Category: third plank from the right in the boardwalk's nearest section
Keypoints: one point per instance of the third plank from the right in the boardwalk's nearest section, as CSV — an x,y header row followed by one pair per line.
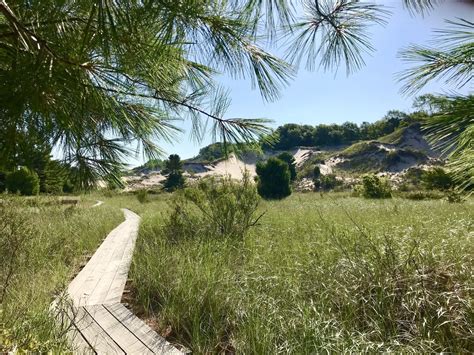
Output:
x,y
98,339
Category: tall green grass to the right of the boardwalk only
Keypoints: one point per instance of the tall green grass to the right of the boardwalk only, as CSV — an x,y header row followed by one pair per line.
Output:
x,y
330,273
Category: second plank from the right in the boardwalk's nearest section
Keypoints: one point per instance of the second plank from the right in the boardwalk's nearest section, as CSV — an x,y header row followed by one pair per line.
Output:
x,y
123,336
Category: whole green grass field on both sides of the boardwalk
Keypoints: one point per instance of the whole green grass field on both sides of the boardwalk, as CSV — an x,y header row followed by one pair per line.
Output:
x,y
317,273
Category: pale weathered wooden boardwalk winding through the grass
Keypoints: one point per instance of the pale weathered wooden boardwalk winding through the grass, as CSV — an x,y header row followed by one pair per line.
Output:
x,y
100,323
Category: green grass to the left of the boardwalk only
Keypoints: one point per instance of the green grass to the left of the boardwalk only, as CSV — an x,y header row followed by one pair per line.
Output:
x,y
42,245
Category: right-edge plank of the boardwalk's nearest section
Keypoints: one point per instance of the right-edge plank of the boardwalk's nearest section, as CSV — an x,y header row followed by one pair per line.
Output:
x,y
153,340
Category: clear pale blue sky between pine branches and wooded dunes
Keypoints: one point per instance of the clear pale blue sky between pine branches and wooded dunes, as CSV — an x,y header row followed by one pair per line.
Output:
x,y
319,97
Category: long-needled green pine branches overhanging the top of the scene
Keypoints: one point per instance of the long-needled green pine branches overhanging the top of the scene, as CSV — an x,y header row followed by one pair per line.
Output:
x,y
95,78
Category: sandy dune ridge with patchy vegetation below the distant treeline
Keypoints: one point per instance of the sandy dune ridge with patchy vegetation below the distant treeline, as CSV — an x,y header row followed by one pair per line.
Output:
x,y
403,149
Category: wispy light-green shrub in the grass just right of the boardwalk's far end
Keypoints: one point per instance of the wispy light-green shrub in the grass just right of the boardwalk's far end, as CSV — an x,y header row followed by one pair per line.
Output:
x,y
215,208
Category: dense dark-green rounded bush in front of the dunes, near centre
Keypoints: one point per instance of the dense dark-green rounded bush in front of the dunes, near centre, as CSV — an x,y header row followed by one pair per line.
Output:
x,y
273,179
